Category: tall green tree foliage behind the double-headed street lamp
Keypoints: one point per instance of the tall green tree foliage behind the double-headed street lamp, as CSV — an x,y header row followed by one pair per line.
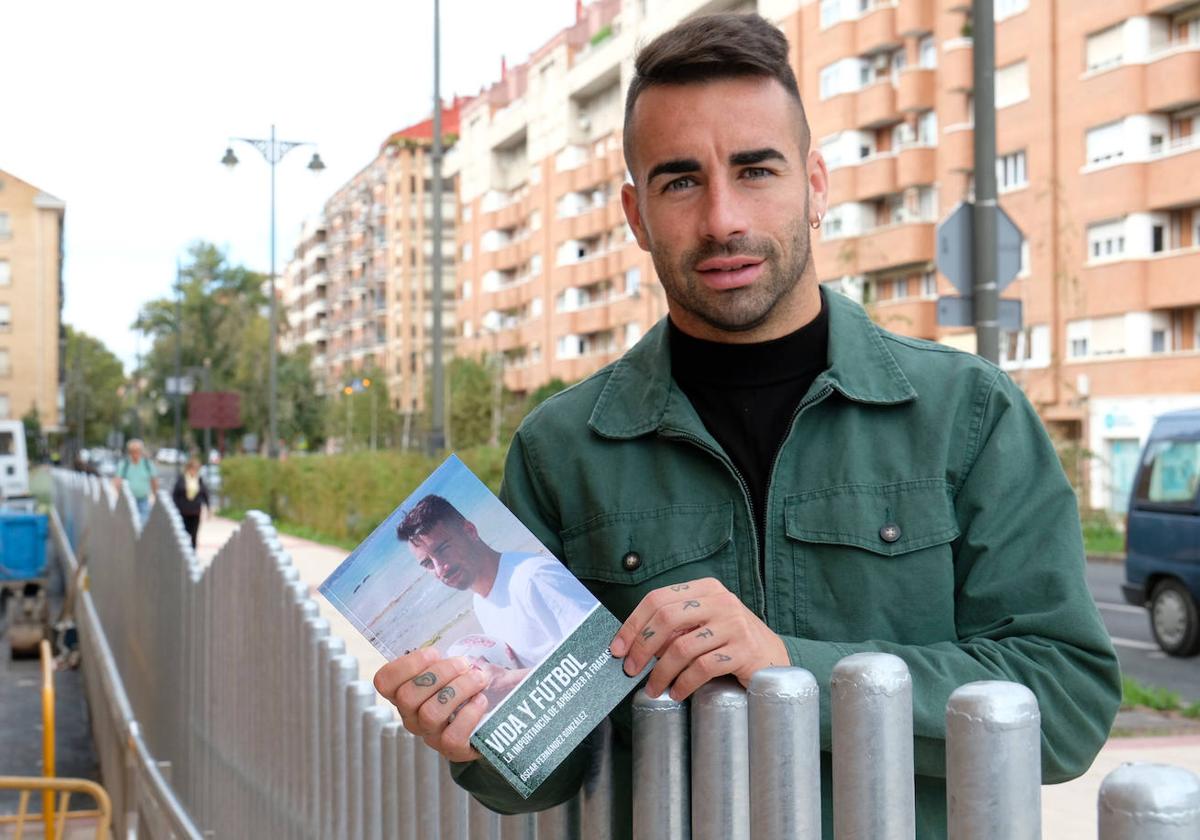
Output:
x,y
225,335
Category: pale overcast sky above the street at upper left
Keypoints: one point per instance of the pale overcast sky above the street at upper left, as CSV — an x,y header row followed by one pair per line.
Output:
x,y
124,110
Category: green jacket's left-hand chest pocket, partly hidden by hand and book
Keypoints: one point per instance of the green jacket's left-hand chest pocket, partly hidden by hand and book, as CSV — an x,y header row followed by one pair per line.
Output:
x,y
625,555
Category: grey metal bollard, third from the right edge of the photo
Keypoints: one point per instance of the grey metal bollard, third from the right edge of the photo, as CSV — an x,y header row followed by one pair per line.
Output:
x,y
873,773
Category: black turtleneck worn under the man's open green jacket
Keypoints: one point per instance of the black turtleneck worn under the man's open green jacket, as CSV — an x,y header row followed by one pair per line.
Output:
x,y
748,394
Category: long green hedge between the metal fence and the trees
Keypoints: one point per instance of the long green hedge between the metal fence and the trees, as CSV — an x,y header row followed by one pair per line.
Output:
x,y
343,497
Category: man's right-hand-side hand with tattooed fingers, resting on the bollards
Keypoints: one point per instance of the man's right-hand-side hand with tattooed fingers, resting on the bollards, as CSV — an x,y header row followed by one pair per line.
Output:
x,y
698,631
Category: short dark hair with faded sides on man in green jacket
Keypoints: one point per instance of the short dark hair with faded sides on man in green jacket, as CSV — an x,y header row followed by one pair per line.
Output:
x,y
715,47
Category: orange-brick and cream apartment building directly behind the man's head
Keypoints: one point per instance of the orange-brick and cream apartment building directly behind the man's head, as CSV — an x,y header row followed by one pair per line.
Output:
x,y
1097,146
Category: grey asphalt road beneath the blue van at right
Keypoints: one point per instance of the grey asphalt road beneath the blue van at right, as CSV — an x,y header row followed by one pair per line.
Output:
x,y
1130,628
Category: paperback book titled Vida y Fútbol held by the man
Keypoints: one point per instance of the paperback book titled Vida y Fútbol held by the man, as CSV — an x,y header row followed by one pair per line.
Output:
x,y
453,568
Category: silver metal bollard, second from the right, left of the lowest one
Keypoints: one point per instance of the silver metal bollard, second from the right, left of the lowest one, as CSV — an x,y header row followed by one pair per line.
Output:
x,y
994,763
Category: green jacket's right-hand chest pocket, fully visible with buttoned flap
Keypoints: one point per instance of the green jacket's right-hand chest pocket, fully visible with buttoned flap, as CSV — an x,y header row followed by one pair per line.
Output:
x,y
874,561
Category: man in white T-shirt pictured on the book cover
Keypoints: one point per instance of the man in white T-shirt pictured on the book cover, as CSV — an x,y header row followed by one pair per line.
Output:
x,y
529,602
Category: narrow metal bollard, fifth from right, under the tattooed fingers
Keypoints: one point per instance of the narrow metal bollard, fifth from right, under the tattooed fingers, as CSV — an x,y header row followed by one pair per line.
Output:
x,y
721,763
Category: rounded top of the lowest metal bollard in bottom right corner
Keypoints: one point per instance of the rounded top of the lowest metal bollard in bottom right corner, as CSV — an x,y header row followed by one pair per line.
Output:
x,y
1150,802
